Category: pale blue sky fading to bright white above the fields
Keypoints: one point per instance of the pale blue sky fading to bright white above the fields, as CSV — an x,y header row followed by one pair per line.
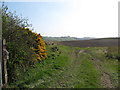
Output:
x,y
76,18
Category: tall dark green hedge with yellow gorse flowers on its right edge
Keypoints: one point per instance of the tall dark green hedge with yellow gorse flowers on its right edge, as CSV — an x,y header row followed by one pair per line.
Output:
x,y
25,46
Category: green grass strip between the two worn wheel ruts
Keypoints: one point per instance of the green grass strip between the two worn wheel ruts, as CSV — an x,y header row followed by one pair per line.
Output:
x,y
88,75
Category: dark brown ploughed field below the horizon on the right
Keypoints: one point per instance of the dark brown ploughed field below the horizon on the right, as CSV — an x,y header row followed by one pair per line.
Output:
x,y
102,42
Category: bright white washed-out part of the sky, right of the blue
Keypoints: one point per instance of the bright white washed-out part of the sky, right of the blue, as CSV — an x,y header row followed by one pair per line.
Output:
x,y
95,18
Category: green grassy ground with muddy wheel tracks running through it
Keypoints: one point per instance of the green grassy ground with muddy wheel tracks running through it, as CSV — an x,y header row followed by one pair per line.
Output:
x,y
72,67
